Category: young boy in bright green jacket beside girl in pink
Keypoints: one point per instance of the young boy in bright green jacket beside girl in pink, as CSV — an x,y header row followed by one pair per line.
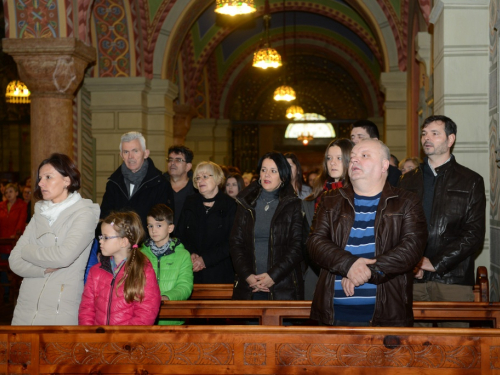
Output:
x,y
170,260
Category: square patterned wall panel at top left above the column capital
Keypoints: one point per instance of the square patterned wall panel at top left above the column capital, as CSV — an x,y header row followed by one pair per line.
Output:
x,y
36,19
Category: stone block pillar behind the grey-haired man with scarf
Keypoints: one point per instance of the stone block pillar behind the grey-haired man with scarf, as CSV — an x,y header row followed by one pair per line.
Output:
x,y
122,104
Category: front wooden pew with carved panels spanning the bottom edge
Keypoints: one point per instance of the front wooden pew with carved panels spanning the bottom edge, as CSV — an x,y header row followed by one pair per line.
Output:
x,y
248,350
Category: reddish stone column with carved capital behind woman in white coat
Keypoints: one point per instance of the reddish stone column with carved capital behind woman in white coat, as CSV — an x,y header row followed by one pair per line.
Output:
x,y
52,69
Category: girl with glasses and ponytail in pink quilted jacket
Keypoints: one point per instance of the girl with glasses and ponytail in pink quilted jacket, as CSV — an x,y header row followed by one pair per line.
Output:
x,y
122,289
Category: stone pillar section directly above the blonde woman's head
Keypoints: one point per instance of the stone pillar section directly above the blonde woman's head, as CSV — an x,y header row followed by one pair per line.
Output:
x,y
210,140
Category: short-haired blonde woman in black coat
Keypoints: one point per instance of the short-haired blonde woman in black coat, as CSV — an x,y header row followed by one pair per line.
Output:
x,y
205,224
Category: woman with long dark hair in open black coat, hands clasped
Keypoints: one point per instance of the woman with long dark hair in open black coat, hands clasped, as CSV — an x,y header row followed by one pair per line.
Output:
x,y
266,240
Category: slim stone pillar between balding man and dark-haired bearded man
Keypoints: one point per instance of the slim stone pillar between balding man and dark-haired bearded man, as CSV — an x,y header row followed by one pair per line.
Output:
x,y
393,84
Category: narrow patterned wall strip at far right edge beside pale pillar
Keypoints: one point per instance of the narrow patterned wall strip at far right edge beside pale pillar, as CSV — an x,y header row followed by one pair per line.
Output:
x,y
494,142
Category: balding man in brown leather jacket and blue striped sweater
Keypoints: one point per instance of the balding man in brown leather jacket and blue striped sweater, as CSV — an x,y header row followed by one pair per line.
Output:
x,y
367,238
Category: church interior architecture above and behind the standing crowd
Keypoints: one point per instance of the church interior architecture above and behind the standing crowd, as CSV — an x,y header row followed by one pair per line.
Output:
x,y
181,73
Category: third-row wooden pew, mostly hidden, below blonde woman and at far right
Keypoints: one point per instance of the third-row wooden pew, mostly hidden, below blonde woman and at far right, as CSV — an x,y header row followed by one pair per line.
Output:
x,y
225,291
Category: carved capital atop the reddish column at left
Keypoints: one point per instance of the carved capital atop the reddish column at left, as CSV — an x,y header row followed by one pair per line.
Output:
x,y
50,67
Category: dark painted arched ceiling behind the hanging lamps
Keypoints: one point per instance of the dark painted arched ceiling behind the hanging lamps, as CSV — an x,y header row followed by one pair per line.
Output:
x,y
333,51
